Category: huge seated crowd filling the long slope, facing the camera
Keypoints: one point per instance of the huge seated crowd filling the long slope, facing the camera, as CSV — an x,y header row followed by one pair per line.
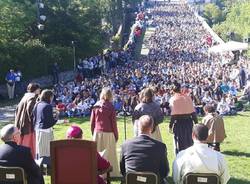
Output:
x,y
178,52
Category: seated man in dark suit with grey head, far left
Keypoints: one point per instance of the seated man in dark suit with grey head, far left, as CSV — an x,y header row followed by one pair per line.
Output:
x,y
13,155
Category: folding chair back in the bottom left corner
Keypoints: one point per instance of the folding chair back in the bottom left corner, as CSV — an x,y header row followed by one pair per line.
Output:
x,y
12,175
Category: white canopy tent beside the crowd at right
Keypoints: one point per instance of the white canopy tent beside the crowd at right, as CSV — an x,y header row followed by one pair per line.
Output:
x,y
228,47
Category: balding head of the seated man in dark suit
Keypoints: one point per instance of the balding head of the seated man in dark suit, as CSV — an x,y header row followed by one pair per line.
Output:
x,y
146,124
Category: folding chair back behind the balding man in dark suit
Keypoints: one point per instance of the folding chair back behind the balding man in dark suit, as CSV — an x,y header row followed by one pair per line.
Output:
x,y
141,178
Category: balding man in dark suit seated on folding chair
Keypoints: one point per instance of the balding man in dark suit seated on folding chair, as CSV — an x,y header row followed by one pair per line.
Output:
x,y
144,154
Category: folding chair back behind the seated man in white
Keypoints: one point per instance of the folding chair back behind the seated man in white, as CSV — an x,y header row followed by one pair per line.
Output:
x,y
201,178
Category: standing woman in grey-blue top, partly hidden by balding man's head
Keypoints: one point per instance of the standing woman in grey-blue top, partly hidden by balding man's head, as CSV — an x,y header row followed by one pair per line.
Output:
x,y
147,106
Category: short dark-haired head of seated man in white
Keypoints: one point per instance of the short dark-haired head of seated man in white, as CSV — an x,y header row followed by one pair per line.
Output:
x,y
200,132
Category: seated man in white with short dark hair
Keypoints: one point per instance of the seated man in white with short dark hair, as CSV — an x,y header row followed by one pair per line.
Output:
x,y
199,158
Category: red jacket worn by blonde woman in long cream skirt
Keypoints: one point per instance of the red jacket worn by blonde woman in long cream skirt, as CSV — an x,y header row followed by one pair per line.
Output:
x,y
103,118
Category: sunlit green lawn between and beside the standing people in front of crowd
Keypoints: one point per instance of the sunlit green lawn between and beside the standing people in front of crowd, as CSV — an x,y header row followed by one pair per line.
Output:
x,y
236,146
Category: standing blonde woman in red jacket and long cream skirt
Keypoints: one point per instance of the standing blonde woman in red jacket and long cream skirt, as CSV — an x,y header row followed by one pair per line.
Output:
x,y
104,128
